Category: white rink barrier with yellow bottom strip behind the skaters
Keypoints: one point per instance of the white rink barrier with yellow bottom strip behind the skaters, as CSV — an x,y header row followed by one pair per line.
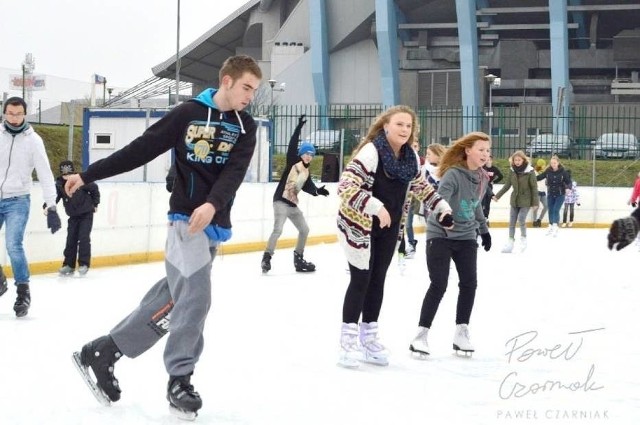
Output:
x,y
130,224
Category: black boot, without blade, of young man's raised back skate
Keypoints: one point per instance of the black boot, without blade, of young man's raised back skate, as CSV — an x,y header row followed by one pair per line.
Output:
x,y
101,355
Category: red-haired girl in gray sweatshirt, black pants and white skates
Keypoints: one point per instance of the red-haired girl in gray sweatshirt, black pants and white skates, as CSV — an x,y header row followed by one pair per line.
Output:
x,y
462,185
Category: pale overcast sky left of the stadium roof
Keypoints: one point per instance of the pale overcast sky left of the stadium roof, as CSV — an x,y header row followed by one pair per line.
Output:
x,y
118,39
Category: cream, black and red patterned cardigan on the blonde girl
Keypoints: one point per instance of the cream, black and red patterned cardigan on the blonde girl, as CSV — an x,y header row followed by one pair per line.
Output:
x,y
358,205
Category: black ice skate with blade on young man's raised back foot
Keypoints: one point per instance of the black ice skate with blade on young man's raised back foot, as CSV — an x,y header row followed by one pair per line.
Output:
x,y
100,356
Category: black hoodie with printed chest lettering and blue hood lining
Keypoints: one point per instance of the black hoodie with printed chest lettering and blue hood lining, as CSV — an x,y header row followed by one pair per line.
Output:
x,y
213,149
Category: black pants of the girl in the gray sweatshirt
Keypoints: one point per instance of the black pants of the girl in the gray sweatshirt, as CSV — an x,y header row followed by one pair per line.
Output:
x,y
464,254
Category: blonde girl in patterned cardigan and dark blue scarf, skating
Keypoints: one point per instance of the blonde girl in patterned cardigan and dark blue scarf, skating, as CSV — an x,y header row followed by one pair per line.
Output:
x,y
374,200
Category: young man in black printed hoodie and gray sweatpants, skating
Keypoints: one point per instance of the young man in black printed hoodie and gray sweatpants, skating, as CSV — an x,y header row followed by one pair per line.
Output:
x,y
213,141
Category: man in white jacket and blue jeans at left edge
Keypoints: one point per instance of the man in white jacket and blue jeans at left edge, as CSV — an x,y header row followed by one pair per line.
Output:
x,y
21,152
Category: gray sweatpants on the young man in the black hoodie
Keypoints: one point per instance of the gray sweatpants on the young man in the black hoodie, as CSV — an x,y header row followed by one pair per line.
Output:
x,y
177,304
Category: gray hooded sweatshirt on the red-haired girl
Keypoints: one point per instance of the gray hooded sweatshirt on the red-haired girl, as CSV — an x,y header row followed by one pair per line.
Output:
x,y
463,190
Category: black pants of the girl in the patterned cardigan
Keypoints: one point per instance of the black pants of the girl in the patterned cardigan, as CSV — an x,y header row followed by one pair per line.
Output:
x,y
366,288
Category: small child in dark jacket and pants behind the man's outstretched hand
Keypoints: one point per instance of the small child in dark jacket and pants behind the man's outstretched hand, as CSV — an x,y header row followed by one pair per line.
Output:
x,y
80,209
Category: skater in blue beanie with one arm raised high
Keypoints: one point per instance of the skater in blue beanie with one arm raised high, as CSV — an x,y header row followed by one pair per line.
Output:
x,y
295,178
